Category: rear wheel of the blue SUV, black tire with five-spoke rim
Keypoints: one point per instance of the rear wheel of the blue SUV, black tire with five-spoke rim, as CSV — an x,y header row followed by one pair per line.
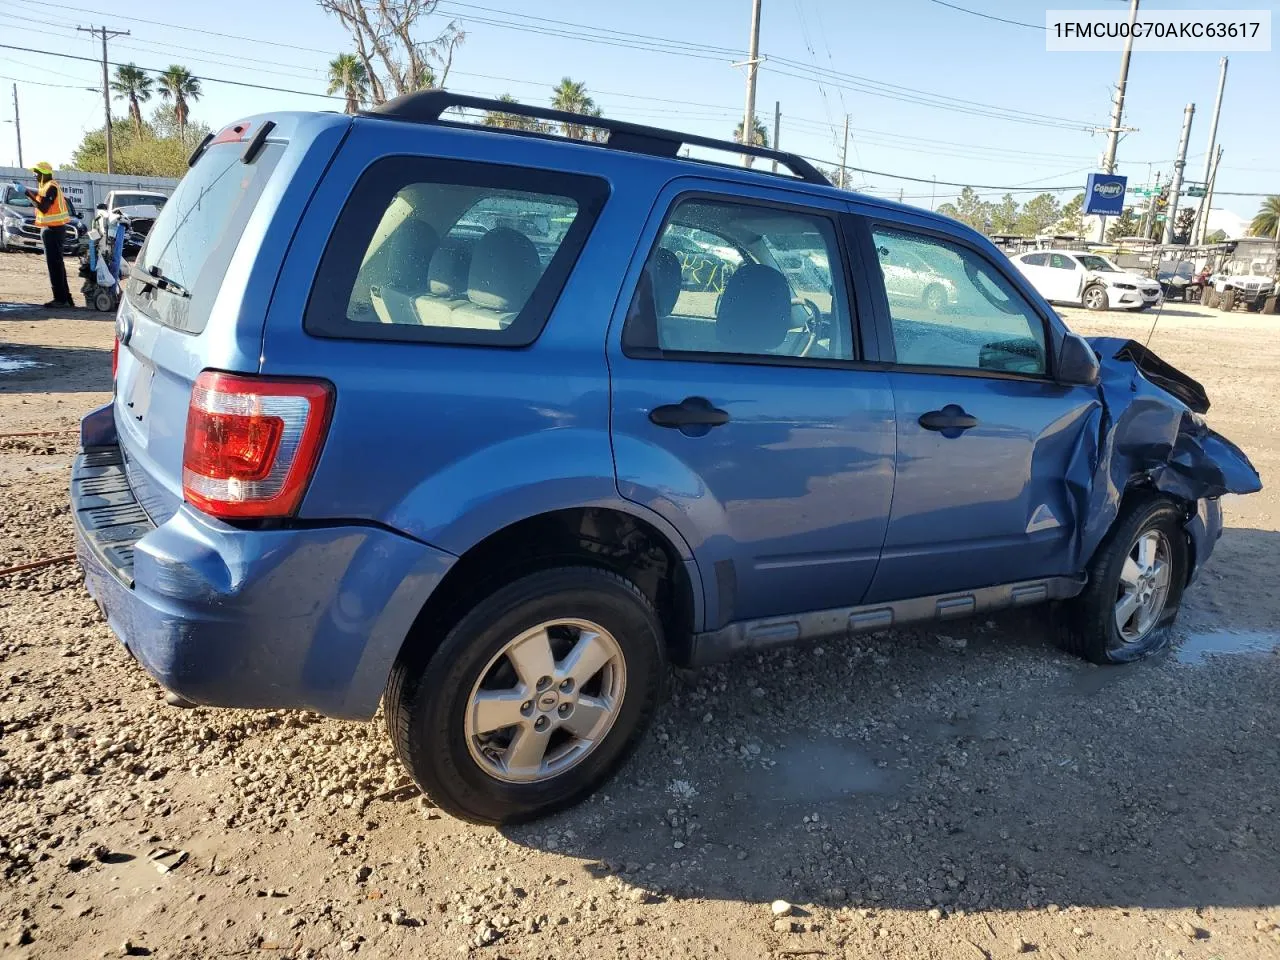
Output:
x,y
534,700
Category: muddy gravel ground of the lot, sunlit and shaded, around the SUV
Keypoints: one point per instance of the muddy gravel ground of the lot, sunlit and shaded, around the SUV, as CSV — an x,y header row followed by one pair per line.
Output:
x,y
973,796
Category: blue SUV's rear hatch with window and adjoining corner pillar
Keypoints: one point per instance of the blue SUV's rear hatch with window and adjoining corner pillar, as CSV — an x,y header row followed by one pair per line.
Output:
x,y
196,298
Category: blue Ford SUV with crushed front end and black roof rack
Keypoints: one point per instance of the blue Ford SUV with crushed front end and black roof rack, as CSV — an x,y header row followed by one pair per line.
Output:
x,y
490,427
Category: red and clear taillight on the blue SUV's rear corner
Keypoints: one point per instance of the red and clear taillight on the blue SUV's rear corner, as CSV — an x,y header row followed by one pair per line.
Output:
x,y
253,444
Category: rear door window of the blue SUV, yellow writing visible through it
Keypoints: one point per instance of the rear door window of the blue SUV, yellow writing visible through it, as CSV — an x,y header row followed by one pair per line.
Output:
x,y
740,280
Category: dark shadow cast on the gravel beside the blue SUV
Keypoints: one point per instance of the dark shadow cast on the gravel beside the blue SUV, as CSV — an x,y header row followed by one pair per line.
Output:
x,y
977,770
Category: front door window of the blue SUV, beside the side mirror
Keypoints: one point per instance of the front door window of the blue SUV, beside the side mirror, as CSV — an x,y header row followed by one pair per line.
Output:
x,y
967,314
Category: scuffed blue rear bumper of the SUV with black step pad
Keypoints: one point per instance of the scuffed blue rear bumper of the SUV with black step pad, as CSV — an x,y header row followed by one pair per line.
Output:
x,y
308,619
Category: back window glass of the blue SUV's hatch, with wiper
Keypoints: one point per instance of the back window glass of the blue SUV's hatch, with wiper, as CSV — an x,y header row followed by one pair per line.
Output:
x,y
196,234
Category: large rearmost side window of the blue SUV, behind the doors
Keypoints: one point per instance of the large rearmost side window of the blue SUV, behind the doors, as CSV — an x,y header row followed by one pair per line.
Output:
x,y
452,253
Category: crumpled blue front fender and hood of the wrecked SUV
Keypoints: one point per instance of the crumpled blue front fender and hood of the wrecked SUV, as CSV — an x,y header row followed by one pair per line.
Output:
x,y
1149,431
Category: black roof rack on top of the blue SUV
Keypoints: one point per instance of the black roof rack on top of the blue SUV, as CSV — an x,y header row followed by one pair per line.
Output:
x,y
428,106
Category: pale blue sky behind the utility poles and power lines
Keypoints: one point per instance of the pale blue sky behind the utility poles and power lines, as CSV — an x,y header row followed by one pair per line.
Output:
x,y
917,79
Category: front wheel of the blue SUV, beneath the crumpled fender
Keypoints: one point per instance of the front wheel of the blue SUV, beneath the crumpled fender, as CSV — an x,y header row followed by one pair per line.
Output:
x,y
1136,586
